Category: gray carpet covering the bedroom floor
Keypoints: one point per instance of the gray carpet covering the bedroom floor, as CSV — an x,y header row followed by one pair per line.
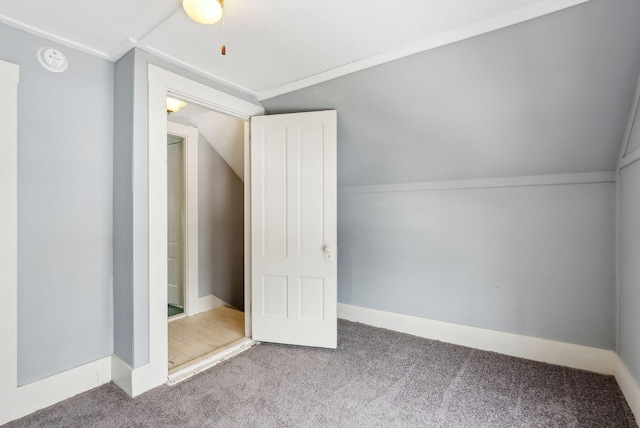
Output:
x,y
376,378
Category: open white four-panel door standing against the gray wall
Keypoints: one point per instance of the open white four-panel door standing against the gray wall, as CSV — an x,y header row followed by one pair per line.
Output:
x,y
294,228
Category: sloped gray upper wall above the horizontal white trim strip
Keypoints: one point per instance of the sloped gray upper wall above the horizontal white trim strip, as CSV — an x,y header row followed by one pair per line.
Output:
x,y
548,96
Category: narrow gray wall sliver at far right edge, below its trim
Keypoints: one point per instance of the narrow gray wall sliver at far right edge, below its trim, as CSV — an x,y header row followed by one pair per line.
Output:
x,y
629,268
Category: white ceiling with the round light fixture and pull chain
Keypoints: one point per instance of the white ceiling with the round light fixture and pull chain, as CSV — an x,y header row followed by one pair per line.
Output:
x,y
273,46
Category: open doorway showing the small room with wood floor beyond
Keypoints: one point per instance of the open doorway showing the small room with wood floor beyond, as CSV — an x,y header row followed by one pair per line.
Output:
x,y
214,320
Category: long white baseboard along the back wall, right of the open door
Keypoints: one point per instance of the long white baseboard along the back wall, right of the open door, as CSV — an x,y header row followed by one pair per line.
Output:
x,y
532,348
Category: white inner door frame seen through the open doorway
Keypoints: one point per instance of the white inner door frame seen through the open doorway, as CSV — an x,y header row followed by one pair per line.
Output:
x,y
190,238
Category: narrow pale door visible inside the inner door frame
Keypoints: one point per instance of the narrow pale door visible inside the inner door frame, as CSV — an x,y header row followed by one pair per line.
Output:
x,y
175,208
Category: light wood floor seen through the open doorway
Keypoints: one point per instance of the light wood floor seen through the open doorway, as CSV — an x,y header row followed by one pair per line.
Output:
x,y
197,337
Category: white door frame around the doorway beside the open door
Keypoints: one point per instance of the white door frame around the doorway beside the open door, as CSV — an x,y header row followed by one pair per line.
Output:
x,y
161,84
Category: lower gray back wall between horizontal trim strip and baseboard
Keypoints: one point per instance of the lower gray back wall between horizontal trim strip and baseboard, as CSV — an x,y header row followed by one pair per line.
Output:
x,y
537,261
